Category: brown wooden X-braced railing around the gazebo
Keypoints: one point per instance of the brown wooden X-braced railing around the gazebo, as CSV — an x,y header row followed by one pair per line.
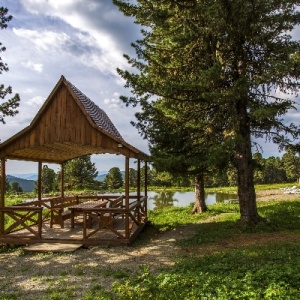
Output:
x,y
31,215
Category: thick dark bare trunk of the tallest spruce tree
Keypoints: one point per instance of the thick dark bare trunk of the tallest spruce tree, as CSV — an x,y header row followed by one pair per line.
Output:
x,y
246,190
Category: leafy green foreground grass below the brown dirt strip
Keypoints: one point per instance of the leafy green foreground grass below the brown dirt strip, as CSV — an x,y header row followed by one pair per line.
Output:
x,y
252,273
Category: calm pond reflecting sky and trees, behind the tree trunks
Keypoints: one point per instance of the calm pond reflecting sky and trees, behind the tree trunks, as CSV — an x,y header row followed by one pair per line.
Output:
x,y
163,199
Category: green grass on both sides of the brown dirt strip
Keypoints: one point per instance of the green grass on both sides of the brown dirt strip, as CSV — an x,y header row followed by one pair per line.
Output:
x,y
268,271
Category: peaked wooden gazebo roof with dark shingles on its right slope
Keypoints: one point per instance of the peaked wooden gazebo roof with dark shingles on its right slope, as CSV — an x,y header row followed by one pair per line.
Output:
x,y
67,126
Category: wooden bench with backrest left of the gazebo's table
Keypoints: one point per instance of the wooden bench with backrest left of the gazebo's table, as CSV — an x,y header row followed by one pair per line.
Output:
x,y
59,211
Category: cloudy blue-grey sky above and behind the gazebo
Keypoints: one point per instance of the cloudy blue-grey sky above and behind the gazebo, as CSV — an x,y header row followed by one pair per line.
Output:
x,y
84,40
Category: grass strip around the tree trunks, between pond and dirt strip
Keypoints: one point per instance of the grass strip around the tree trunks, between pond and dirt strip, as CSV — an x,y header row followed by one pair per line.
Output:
x,y
220,222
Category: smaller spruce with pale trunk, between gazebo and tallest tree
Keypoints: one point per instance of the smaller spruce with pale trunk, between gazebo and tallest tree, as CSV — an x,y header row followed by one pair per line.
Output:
x,y
180,144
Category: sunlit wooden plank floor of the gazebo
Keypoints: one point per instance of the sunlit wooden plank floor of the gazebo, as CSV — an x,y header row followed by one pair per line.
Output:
x,y
73,235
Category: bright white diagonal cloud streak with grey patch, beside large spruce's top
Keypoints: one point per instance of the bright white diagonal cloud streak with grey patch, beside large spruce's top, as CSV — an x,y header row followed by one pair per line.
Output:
x,y
96,19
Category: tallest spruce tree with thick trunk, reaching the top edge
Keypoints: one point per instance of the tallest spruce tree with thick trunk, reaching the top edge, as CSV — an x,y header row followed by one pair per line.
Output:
x,y
234,59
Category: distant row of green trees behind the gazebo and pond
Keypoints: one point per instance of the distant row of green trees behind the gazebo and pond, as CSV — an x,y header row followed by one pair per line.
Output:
x,y
81,173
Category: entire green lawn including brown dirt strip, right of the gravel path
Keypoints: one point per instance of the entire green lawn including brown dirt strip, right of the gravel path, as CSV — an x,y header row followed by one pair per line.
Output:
x,y
220,260
